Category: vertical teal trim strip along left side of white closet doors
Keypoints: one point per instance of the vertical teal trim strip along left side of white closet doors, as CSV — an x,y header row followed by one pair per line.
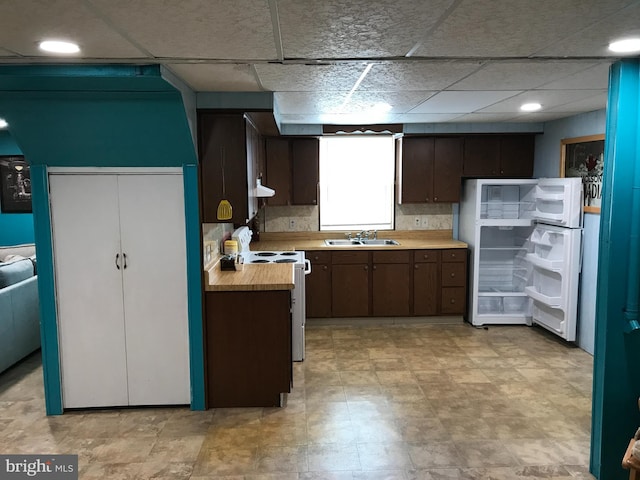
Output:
x,y
46,291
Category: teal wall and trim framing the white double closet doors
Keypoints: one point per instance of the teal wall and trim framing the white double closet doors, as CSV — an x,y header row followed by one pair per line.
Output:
x,y
100,116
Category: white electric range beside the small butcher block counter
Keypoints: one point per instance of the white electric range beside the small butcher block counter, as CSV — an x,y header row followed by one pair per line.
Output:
x,y
301,267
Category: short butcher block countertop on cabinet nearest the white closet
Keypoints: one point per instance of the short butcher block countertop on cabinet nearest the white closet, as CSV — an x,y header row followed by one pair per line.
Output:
x,y
253,277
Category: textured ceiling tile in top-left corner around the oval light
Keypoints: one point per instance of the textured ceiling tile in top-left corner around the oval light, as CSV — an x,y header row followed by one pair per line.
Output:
x,y
27,22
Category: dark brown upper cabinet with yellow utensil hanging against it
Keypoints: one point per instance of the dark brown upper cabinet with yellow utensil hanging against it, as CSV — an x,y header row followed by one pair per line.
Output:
x,y
222,154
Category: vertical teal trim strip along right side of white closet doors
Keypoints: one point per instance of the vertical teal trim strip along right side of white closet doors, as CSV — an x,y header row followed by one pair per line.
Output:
x,y
194,286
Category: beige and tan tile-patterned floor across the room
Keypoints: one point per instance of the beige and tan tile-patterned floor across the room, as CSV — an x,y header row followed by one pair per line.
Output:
x,y
369,403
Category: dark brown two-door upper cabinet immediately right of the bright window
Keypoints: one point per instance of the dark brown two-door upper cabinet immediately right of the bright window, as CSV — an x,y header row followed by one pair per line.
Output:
x,y
430,169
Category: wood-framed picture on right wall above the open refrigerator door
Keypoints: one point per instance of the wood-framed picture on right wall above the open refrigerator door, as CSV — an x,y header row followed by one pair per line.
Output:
x,y
584,157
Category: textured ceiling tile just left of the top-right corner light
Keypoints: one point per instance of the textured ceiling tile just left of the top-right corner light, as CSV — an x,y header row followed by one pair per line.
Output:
x,y
504,28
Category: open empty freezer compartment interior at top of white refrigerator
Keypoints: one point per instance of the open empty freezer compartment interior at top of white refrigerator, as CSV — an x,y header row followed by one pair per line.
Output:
x,y
507,202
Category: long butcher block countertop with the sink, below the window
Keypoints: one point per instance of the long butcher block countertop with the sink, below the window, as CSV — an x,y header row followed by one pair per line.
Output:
x,y
408,240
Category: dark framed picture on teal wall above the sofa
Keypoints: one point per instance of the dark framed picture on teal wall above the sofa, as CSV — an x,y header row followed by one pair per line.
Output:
x,y
15,185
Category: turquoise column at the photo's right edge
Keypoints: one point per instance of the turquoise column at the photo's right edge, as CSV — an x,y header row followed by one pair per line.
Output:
x,y
616,374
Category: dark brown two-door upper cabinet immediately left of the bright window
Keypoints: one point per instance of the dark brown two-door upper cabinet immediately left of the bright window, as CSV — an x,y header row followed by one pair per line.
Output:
x,y
292,170
